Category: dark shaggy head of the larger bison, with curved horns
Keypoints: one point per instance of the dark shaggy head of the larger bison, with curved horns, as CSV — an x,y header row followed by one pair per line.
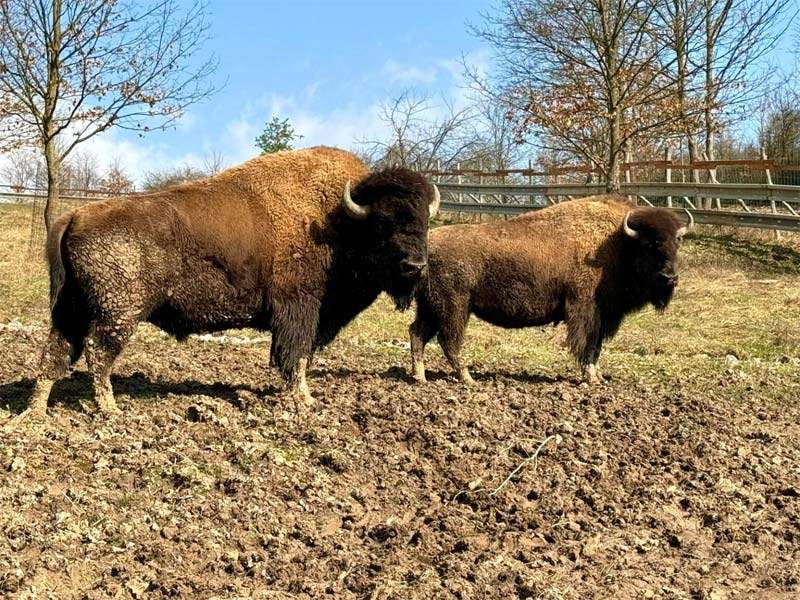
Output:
x,y
389,212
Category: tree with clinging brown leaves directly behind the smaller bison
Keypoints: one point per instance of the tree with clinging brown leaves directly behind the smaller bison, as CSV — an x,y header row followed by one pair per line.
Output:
x,y
587,77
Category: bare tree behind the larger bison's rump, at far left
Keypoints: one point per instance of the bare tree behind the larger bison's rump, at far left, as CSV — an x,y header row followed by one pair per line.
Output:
x,y
70,69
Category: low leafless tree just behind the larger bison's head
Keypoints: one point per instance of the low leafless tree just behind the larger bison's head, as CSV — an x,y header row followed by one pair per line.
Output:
x,y
421,133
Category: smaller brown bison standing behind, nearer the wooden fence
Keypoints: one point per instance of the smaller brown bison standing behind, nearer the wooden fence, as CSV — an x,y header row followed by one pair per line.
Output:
x,y
587,262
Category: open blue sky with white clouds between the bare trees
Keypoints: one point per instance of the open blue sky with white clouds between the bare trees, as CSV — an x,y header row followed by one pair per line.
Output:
x,y
325,65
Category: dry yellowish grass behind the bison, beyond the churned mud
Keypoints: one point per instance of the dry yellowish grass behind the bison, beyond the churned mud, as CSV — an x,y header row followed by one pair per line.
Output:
x,y
738,302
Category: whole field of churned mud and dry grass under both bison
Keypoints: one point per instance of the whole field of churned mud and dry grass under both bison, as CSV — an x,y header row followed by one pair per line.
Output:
x,y
677,477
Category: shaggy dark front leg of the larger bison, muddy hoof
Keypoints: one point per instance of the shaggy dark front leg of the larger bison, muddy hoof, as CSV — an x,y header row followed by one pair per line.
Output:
x,y
294,329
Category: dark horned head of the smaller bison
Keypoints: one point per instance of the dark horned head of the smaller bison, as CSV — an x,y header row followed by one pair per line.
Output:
x,y
652,238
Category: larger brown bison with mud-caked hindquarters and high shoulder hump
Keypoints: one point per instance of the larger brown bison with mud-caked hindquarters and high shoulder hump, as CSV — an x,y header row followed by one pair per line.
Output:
x,y
297,243
